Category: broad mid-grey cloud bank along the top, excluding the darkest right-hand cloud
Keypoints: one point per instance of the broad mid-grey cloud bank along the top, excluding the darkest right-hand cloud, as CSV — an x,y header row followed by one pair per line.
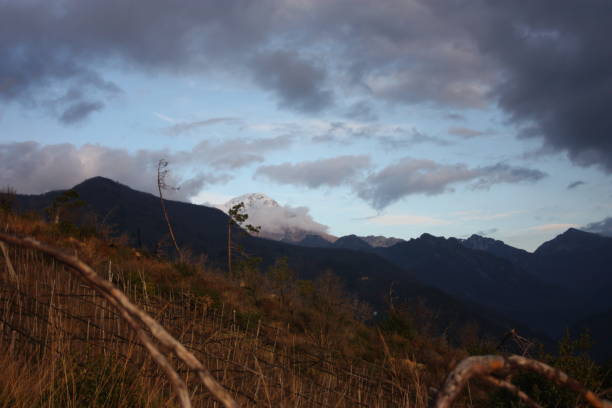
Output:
x,y
400,51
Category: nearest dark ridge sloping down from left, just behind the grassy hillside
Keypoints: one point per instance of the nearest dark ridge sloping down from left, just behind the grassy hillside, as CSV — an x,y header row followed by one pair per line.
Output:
x,y
204,231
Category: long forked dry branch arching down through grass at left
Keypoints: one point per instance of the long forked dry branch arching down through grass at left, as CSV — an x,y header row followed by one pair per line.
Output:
x,y
136,318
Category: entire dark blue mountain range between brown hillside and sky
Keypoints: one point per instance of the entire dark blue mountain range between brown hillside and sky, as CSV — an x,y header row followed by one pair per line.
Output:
x,y
566,282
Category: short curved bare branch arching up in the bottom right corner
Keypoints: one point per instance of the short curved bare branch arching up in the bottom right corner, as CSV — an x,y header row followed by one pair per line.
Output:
x,y
484,366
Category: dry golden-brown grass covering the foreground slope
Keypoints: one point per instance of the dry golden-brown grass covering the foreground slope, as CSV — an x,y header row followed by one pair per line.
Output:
x,y
63,345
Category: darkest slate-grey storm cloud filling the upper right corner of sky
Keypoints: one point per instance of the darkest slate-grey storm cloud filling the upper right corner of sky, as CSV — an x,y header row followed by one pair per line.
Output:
x,y
555,75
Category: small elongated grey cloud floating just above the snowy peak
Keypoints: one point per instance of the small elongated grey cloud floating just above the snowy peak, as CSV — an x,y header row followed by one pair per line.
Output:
x,y
330,172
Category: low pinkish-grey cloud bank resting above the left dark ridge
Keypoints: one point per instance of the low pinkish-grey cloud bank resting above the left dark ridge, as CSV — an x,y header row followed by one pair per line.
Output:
x,y
34,168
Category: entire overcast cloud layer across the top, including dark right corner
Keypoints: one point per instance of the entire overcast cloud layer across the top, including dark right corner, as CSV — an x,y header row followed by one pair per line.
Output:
x,y
545,63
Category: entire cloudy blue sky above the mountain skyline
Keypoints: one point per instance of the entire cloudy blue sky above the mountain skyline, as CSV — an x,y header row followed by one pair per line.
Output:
x,y
394,117
